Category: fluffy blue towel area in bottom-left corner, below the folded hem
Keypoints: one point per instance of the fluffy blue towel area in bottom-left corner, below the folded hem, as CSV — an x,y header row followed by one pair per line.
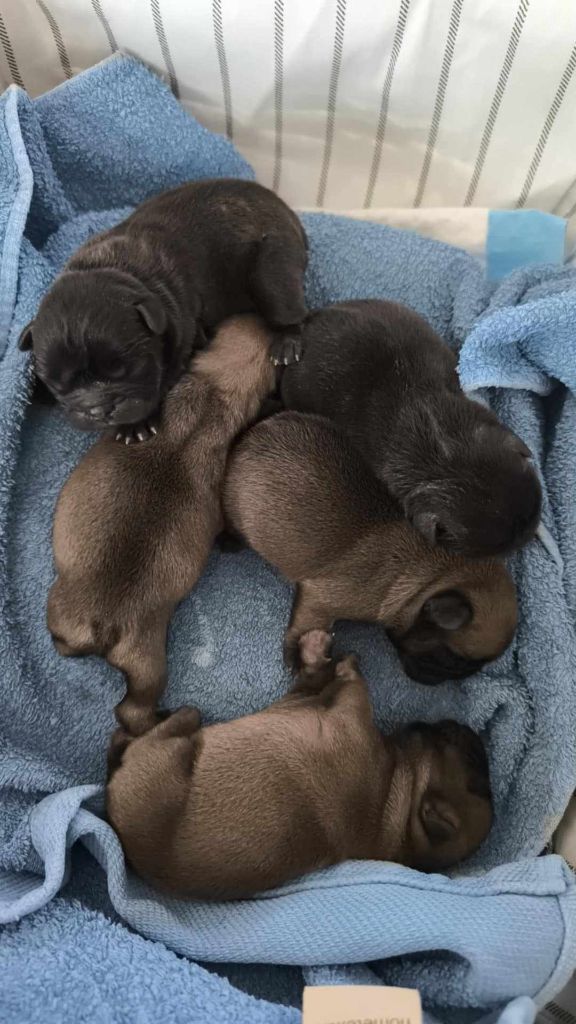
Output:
x,y
112,972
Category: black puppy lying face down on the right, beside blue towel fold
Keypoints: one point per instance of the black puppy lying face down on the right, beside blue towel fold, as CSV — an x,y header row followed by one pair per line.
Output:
x,y
381,372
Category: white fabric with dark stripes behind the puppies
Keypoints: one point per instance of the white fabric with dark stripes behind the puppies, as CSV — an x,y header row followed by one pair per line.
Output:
x,y
346,104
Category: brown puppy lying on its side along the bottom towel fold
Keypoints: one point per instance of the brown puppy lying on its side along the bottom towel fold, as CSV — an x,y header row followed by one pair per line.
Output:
x,y
230,810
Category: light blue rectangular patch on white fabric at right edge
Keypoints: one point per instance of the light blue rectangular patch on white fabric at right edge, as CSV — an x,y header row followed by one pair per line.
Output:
x,y
521,238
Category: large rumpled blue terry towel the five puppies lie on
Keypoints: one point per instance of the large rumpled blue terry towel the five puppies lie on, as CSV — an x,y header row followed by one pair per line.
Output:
x,y
74,162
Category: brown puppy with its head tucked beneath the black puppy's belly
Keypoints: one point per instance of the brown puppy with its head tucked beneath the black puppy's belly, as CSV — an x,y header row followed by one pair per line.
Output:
x,y
135,526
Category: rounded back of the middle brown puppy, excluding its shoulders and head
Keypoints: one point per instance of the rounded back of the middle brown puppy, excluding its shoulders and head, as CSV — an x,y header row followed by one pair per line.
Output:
x,y
297,483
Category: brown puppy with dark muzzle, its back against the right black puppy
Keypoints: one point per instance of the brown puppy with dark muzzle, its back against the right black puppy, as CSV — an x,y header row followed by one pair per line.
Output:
x,y
299,493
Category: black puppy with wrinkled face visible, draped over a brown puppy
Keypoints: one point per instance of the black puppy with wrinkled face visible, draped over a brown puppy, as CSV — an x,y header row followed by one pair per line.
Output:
x,y
117,329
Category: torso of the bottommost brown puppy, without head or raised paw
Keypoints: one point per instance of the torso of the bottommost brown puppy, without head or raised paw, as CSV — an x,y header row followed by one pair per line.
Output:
x,y
244,805
